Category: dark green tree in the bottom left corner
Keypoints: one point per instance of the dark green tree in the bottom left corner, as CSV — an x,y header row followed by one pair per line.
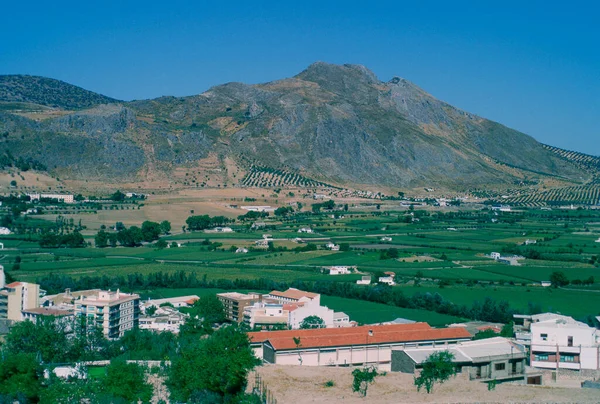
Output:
x,y
21,377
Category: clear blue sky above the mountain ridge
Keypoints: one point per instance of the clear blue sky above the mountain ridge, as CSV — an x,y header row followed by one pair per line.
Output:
x,y
531,65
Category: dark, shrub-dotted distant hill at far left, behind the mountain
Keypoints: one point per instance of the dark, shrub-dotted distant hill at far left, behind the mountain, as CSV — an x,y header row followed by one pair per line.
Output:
x,y
48,92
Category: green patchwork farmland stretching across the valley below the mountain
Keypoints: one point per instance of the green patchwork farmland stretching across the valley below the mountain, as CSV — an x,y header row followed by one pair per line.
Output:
x,y
443,251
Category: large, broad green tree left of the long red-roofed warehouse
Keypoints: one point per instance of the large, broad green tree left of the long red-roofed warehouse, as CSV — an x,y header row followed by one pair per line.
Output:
x,y
217,365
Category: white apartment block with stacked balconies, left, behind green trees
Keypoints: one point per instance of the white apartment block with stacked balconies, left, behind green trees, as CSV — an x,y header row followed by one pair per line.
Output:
x,y
113,312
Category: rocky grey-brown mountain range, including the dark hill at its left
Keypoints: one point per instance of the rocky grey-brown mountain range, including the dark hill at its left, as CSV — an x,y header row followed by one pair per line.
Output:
x,y
335,124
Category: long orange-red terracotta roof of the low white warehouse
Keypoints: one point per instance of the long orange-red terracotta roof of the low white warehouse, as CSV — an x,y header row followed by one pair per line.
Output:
x,y
327,337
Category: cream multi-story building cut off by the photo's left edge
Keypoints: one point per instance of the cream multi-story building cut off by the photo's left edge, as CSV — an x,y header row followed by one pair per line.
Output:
x,y
16,297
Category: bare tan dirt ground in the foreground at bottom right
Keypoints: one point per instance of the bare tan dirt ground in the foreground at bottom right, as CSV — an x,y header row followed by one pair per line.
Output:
x,y
303,384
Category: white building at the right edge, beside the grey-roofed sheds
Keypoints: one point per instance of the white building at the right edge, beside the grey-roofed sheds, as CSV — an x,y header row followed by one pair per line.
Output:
x,y
560,342
